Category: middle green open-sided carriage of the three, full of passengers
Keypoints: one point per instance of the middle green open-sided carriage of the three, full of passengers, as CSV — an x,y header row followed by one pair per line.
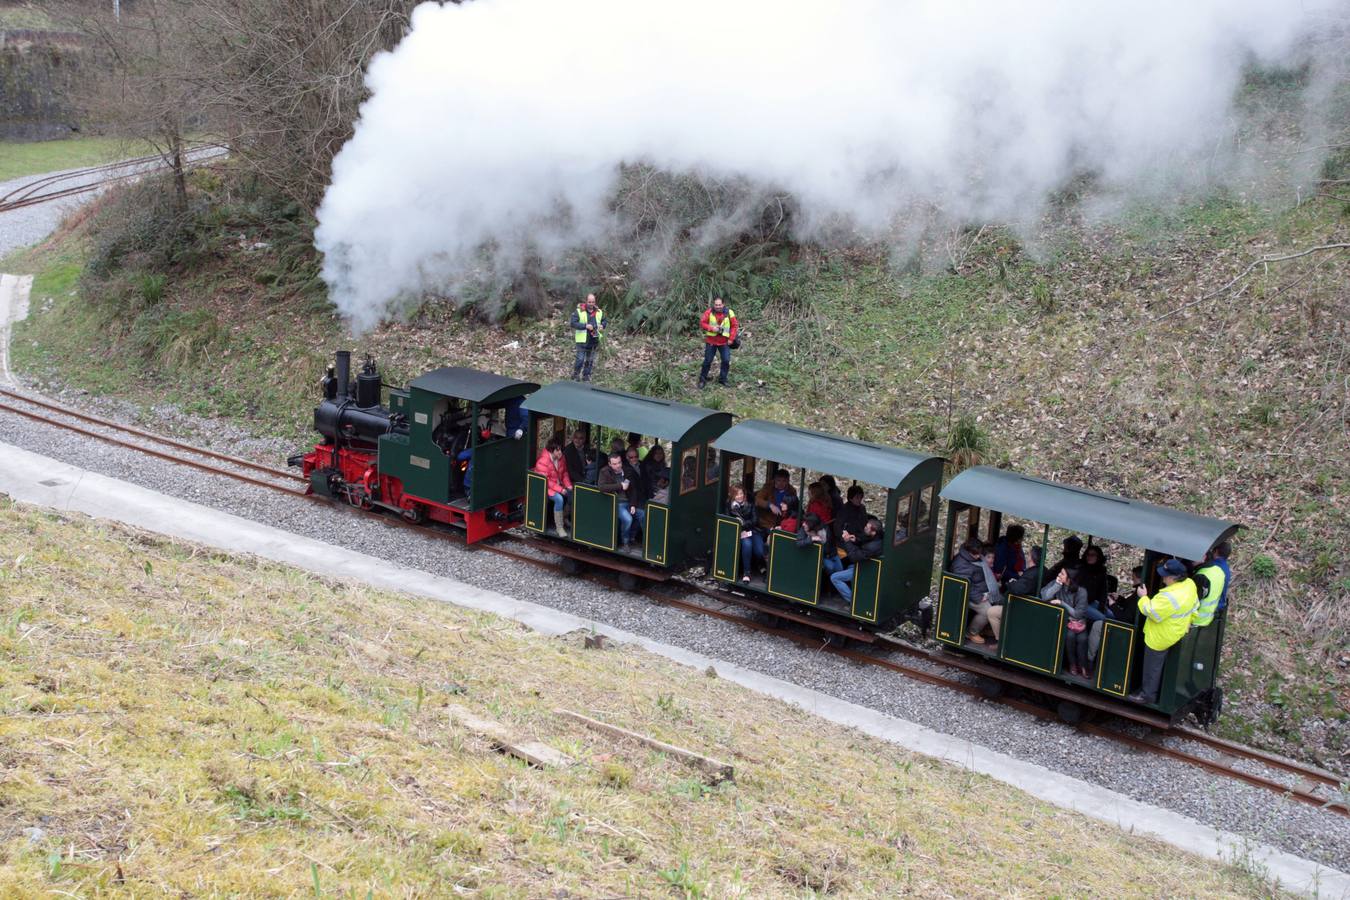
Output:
x,y
884,589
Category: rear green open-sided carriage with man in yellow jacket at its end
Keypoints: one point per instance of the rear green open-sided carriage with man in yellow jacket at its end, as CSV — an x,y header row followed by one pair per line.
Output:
x,y
1033,632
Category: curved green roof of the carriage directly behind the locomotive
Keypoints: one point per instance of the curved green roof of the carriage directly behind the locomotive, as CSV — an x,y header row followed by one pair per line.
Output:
x,y
661,419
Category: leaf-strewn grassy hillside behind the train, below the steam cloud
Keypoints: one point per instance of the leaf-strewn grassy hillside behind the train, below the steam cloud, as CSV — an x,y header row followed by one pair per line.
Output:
x,y
1154,356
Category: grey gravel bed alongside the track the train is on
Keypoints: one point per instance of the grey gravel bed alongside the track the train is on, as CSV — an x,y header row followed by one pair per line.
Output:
x,y
1221,804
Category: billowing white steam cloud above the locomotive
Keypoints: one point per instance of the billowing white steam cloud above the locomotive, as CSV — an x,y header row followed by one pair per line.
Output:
x,y
503,123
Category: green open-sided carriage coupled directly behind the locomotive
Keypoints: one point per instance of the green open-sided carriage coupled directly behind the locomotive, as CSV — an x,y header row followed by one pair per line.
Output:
x,y
678,532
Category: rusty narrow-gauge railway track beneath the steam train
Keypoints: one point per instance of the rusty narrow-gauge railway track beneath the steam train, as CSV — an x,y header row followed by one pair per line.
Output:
x,y
1307,785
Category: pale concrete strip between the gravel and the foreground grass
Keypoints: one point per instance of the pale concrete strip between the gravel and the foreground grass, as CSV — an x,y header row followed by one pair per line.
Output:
x,y
37,480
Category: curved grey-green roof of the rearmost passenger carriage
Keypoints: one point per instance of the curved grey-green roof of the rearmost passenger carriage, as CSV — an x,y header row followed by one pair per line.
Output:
x,y
1118,519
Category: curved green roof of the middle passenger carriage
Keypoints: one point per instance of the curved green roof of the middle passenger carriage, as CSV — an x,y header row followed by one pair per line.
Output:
x,y
823,453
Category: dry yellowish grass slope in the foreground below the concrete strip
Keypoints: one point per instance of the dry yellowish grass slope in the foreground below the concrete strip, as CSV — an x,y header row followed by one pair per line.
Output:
x,y
182,723
